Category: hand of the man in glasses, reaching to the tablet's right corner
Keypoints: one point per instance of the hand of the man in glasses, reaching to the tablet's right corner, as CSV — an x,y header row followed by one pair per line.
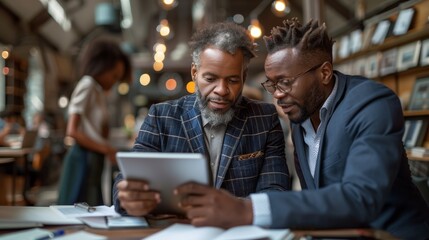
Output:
x,y
207,206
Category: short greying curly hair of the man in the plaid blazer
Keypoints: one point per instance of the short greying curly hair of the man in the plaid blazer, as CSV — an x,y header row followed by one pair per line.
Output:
x,y
226,36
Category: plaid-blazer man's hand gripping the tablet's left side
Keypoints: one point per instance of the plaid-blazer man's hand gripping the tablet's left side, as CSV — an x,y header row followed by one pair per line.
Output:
x,y
136,197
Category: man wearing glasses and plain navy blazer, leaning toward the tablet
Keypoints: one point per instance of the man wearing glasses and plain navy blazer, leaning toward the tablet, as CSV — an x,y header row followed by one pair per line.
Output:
x,y
347,133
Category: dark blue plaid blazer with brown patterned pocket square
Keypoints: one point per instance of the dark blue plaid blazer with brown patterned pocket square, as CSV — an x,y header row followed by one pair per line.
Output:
x,y
252,156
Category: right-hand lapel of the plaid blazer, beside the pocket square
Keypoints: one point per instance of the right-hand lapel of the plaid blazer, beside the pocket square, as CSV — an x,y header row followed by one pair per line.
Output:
x,y
233,133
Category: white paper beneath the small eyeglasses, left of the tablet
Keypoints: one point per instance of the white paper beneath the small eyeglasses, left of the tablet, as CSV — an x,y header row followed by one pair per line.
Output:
x,y
74,212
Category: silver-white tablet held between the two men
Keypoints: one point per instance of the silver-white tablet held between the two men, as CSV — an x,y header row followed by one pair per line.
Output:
x,y
164,172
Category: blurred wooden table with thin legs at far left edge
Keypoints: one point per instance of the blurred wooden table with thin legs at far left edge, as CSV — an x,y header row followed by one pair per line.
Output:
x,y
18,154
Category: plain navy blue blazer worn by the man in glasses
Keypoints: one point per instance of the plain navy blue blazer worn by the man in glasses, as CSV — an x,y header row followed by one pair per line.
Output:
x,y
362,177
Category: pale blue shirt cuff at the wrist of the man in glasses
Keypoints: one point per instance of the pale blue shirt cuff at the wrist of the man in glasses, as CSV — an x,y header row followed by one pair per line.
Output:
x,y
261,210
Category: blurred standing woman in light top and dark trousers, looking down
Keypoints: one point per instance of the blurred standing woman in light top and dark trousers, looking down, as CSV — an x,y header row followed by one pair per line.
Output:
x,y
102,64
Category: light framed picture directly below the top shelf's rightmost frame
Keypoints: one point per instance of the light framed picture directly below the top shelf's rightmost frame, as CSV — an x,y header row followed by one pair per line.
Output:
x,y
408,55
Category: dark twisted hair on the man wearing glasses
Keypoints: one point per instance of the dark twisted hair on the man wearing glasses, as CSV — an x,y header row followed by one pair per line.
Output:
x,y
311,39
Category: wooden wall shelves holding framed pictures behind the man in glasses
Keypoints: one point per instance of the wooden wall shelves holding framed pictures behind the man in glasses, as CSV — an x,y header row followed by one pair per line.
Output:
x,y
400,80
